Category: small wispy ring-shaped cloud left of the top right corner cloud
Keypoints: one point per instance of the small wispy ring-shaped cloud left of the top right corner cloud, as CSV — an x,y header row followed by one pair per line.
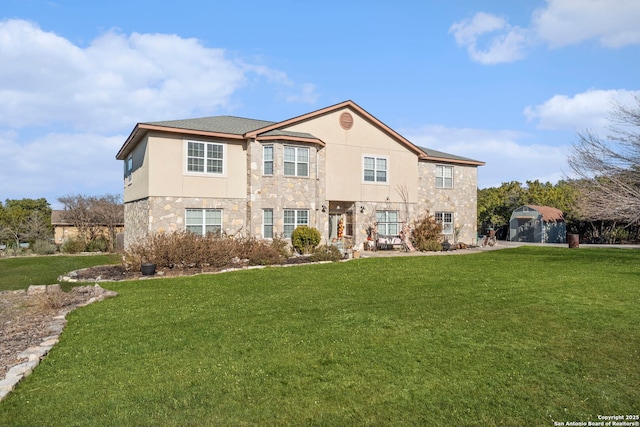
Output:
x,y
506,46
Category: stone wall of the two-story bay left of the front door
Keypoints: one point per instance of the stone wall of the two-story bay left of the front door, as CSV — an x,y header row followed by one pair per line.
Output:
x,y
278,192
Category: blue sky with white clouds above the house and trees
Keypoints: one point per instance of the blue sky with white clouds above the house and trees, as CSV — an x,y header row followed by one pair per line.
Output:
x,y
508,83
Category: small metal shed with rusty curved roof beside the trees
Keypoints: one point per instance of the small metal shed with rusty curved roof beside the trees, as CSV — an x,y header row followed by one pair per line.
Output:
x,y
537,224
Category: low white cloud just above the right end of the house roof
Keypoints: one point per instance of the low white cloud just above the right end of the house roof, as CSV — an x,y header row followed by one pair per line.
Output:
x,y
507,157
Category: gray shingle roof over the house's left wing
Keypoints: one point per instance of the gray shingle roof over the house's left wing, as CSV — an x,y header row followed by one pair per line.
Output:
x,y
222,124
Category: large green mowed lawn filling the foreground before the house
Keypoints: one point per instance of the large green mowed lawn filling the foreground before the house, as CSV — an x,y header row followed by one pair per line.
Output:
x,y
517,337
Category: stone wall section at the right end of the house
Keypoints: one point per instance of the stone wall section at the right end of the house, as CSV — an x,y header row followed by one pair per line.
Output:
x,y
461,199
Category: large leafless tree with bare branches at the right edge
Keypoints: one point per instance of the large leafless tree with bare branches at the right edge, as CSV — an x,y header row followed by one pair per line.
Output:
x,y
610,168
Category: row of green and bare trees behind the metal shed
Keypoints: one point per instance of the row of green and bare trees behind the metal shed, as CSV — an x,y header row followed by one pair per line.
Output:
x,y
602,203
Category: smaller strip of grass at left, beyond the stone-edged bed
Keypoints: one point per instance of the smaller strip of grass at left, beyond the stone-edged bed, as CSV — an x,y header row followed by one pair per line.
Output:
x,y
22,272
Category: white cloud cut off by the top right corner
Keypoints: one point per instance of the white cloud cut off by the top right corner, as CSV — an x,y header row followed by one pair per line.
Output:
x,y
614,23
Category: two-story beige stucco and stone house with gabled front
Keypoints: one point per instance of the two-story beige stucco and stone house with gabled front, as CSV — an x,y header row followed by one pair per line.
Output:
x,y
338,169
